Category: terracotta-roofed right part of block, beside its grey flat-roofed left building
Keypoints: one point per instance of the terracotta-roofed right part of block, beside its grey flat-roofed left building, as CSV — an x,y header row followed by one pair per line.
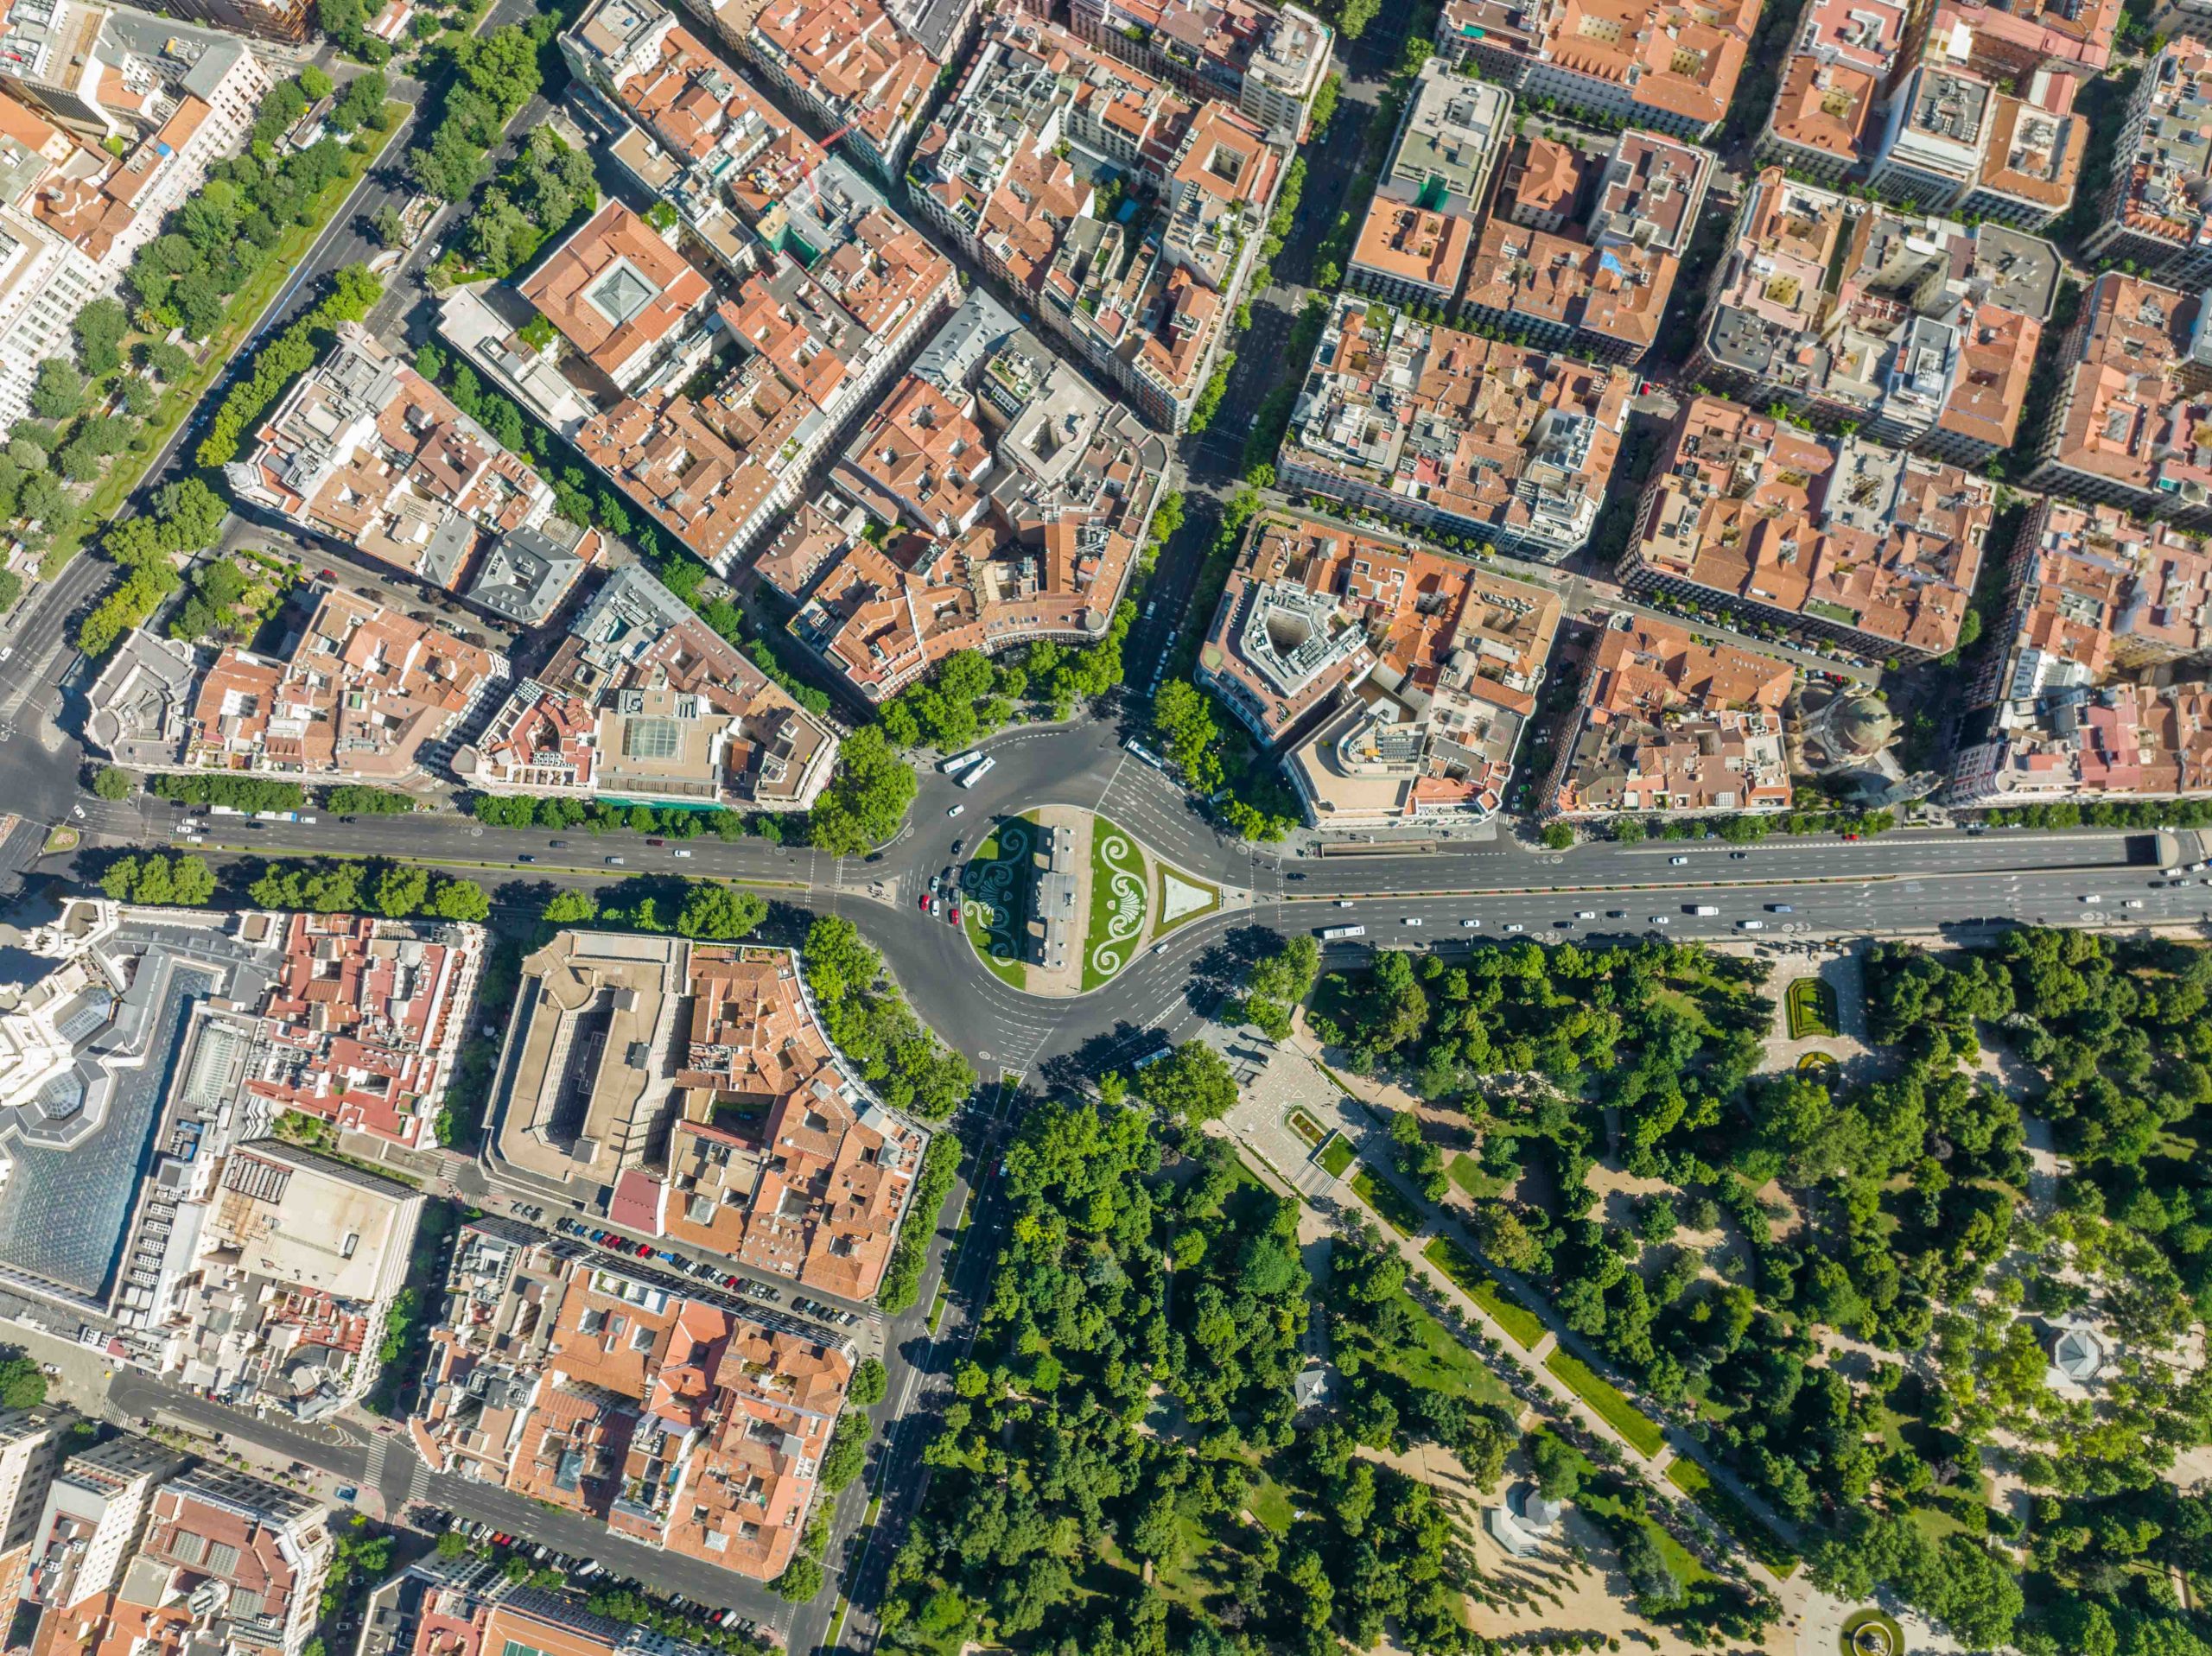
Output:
x,y
1605,286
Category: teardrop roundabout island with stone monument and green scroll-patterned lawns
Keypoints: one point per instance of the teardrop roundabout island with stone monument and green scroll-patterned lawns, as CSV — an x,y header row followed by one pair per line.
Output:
x,y
1058,901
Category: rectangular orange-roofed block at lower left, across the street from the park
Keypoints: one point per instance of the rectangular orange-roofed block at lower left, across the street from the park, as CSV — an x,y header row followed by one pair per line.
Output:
x,y
680,1418
